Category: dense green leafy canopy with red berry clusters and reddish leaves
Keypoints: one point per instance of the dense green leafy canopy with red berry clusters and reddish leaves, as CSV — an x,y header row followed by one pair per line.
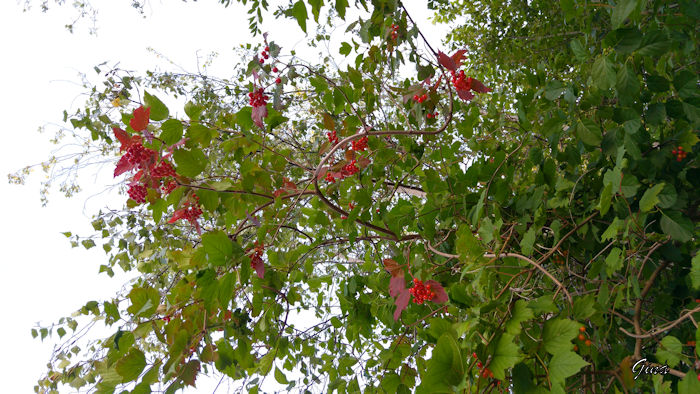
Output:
x,y
514,209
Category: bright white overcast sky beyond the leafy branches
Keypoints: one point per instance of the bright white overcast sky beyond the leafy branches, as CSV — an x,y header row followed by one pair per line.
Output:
x,y
45,278
